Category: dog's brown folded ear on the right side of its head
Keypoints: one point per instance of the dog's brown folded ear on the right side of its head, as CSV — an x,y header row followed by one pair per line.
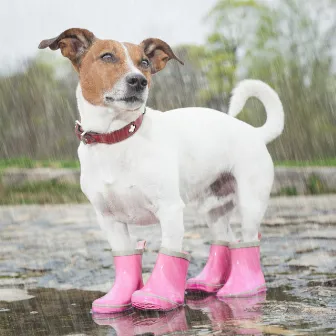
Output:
x,y
158,52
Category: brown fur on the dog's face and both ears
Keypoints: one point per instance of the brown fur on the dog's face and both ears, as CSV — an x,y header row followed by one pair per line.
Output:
x,y
98,76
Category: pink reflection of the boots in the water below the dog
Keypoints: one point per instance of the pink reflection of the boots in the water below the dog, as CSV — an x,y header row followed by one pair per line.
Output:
x,y
235,316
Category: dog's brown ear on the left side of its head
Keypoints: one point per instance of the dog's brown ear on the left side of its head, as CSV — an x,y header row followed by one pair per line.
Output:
x,y
73,43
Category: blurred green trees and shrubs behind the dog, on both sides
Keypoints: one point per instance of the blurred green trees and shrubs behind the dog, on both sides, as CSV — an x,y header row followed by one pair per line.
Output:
x,y
290,45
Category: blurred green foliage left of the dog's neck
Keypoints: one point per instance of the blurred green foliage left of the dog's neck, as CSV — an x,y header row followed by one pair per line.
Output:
x,y
37,114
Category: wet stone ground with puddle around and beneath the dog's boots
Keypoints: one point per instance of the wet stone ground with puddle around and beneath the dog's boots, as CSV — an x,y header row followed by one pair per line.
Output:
x,y
54,261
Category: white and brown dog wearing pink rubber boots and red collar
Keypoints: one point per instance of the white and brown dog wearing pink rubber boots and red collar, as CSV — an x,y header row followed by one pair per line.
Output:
x,y
141,166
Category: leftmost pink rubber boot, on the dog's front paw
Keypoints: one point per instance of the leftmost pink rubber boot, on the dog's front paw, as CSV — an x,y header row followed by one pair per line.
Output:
x,y
128,279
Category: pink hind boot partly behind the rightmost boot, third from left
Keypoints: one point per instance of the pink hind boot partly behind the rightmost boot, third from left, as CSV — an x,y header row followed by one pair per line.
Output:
x,y
215,272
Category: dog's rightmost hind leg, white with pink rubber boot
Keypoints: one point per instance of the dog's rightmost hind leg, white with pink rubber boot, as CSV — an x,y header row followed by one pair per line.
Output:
x,y
246,277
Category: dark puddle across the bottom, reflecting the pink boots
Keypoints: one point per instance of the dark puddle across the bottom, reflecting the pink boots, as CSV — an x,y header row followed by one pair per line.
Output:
x,y
67,312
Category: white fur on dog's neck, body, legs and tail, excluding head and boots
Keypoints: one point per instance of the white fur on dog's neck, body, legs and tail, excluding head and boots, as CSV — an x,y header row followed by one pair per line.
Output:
x,y
172,160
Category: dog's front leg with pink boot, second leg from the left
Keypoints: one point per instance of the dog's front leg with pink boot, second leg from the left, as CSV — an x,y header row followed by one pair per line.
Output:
x,y
164,289
